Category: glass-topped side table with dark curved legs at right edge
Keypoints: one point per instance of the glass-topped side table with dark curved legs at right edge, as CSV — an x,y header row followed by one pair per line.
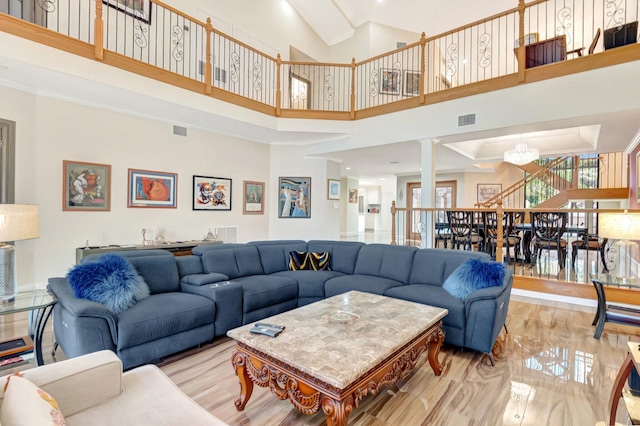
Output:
x,y
613,313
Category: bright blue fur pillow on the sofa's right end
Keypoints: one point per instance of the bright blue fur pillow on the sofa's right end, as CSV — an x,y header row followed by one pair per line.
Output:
x,y
473,275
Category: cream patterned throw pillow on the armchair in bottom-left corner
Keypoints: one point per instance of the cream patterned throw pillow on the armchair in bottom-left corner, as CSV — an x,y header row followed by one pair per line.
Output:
x,y
26,404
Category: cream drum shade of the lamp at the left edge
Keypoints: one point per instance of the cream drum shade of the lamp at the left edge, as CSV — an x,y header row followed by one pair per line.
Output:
x,y
18,222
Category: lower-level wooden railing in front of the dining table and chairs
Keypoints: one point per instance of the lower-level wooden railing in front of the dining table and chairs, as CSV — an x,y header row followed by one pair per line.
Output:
x,y
579,251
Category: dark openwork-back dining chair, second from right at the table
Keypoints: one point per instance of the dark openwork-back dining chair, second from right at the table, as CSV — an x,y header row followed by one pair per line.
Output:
x,y
548,229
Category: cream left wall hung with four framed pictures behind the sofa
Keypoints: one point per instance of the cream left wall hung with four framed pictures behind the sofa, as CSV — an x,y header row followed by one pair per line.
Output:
x,y
49,131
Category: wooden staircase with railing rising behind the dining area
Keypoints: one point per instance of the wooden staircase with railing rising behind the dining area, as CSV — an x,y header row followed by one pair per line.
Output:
x,y
553,183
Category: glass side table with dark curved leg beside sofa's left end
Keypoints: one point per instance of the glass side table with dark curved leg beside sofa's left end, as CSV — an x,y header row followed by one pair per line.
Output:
x,y
39,303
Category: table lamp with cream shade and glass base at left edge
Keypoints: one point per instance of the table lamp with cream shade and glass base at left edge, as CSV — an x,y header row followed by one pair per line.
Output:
x,y
17,222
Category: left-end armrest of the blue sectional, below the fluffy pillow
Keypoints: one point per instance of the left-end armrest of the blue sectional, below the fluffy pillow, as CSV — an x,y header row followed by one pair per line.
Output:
x,y
82,308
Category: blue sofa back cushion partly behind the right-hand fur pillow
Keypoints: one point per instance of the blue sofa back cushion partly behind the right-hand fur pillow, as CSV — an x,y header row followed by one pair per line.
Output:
x,y
433,266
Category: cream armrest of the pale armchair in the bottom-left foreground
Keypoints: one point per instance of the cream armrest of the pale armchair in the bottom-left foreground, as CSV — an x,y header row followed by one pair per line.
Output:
x,y
78,383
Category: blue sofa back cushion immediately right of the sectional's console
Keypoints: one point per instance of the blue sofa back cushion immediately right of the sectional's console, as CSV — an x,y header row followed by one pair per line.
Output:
x,y
232,260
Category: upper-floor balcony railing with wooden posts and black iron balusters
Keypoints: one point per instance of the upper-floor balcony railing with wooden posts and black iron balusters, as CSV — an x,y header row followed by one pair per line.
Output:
x,y
161,42
